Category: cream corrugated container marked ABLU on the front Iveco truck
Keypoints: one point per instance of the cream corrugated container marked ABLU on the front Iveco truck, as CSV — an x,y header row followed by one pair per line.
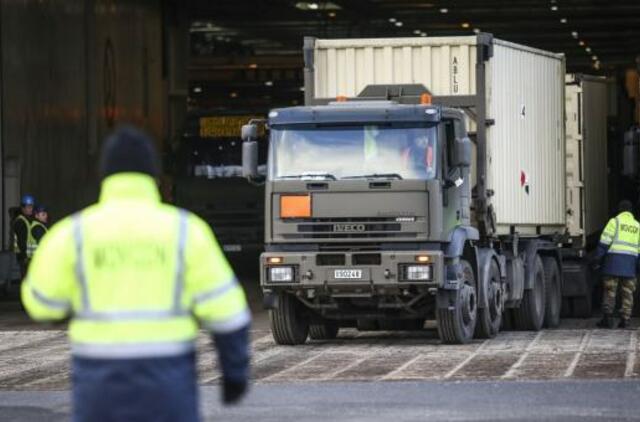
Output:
x,y
517,89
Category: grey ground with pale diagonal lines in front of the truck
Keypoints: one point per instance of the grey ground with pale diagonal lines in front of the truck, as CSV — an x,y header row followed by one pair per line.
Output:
x,y
559,374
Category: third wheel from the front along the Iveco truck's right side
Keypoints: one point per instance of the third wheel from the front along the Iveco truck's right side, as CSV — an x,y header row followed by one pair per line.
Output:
x,y
530,314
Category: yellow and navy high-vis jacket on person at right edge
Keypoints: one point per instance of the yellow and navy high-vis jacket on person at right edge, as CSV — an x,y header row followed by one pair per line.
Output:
x,y
620,243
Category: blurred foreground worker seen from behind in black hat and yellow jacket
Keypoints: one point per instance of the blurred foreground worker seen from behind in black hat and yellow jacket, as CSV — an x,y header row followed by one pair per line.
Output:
x,y
137,278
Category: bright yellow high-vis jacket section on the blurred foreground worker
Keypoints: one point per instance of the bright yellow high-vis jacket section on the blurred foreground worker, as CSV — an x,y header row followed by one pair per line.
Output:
x,y
135,276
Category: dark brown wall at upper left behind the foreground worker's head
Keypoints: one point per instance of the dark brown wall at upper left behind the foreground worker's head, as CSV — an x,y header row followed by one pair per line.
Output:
x,y
71,69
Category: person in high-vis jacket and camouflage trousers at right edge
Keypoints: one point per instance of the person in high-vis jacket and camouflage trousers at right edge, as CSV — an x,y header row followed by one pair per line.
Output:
x,y
620,247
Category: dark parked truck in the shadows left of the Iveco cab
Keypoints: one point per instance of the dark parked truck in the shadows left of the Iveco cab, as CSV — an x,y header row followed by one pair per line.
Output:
x,y
207,179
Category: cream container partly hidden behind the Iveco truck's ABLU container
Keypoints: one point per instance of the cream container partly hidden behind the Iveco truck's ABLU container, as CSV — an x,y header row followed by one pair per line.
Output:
x,y
587,172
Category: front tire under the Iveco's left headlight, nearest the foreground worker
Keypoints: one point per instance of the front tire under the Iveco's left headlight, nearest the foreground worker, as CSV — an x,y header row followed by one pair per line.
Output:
x,y
288,325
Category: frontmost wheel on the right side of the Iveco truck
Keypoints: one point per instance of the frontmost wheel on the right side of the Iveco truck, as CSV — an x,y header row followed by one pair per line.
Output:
x,y
456,318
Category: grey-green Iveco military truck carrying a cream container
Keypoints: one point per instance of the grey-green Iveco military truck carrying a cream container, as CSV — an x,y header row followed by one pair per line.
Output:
x,y
424,179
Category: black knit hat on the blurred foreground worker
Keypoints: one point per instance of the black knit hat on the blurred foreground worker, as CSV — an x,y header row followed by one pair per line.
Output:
x,y
129,150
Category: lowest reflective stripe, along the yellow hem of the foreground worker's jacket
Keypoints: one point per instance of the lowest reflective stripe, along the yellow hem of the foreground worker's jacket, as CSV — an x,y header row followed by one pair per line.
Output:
x,y
131,350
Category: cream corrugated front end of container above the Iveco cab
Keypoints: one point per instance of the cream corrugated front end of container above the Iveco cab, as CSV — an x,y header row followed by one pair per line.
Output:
x,y
445,65
